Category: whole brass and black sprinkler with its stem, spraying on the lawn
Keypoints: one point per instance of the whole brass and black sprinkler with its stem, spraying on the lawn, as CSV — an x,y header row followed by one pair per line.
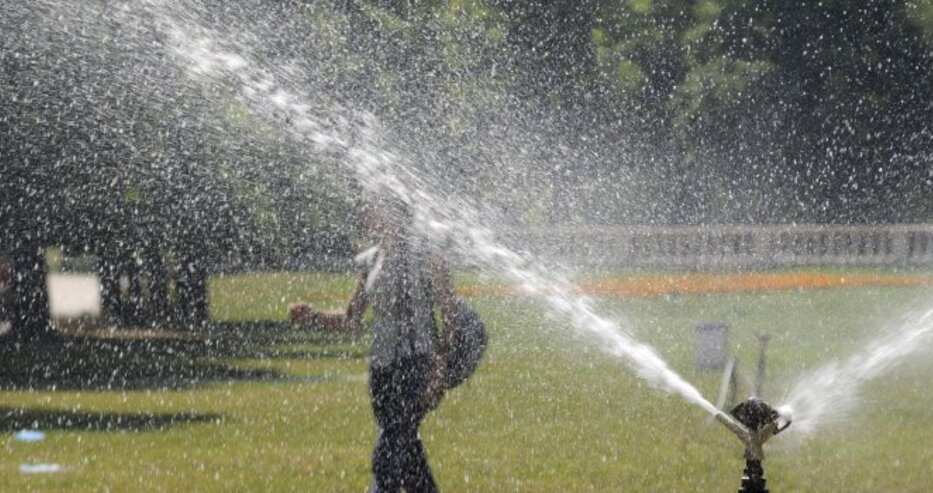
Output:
x,y
754,422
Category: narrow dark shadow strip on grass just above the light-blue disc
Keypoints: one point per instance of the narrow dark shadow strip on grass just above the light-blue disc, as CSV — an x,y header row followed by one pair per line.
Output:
x,y
12,420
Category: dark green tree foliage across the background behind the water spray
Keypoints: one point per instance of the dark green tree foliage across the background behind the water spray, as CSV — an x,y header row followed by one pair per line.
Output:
x,y
606,111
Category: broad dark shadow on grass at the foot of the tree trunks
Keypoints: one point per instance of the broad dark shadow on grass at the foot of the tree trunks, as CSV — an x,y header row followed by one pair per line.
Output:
x,y
133,360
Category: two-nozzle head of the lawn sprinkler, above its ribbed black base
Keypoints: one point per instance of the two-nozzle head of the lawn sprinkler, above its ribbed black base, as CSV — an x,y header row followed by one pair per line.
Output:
x,y
754,422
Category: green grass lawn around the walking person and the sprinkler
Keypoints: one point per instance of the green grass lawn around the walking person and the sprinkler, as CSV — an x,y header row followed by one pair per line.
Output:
x,y
281,410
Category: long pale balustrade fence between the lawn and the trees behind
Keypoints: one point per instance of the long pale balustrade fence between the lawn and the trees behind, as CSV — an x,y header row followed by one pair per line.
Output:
x,y
698,247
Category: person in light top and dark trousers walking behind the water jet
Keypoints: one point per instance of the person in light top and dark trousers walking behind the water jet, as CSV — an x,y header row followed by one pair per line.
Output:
x,y
403,287
